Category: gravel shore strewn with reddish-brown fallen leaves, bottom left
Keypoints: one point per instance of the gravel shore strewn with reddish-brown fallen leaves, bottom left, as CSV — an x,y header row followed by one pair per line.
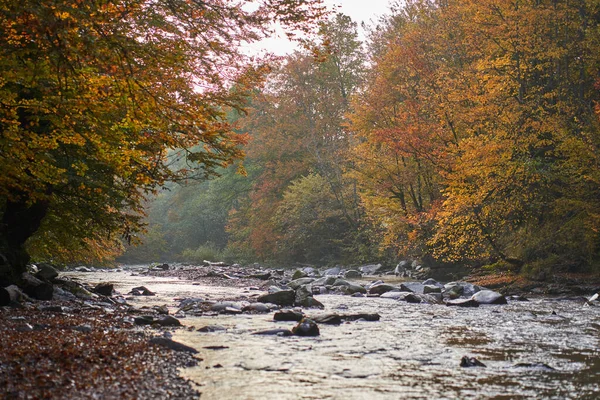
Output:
x,y
51,350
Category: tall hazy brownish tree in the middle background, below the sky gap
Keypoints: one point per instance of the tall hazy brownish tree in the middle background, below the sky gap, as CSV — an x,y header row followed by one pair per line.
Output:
x,y
298,128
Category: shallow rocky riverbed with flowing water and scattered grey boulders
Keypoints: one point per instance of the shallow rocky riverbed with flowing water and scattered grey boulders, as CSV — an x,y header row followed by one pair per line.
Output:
x,y
332,334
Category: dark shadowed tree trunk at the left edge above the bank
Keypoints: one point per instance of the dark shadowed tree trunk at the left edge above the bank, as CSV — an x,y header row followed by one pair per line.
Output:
x,y
19,222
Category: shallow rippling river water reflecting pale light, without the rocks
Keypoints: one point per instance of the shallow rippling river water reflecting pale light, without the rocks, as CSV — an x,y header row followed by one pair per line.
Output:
x,y
414,351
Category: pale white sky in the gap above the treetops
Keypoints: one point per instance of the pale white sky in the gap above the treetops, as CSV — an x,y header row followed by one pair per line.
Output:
x,y
360,11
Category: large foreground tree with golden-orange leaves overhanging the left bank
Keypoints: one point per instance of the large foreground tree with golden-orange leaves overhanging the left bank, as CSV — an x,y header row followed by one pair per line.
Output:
x,y
93,95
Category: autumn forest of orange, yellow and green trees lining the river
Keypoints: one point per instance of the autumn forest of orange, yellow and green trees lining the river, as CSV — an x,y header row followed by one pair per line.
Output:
x,y
460,132
